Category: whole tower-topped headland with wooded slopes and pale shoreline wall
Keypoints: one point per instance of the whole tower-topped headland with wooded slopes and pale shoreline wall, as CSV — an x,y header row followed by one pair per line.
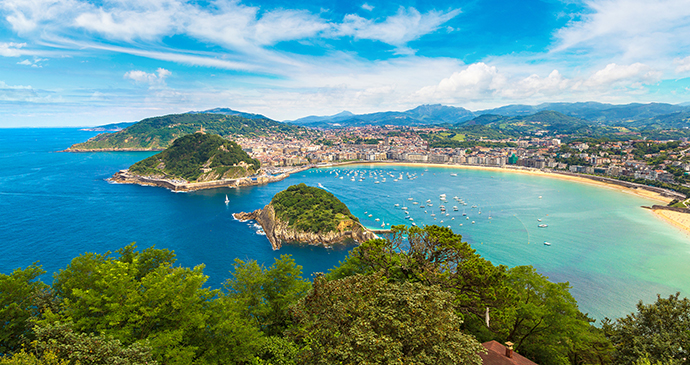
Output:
x,y
196,161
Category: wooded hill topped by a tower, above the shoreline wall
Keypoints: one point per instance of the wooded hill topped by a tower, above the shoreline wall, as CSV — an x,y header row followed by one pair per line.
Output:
x,y
198,157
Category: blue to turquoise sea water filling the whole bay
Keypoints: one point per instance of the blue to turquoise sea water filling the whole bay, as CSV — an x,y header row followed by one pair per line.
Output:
x,y
54,206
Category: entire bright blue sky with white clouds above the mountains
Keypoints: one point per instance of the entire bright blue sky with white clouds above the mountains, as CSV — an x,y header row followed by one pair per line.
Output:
x,y
86,62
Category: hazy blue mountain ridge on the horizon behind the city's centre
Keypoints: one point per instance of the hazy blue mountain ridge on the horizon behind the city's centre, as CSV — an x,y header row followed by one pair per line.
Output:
x,y
421,115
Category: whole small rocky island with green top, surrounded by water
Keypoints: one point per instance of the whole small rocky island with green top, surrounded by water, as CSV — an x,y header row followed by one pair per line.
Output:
x,y
310,215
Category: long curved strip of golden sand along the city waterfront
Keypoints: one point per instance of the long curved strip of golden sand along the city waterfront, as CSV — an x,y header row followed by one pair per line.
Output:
x,y
676,219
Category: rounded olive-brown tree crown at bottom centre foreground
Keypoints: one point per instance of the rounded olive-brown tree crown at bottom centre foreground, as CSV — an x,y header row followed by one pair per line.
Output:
x,y
366,320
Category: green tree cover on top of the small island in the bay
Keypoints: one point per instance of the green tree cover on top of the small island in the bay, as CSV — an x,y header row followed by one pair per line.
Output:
x,y
311,209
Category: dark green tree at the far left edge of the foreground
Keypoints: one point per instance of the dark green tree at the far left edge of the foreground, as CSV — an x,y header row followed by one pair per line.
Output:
x,y
17,304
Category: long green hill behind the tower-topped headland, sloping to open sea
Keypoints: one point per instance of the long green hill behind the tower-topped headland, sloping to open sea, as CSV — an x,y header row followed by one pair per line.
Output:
x,y
158,133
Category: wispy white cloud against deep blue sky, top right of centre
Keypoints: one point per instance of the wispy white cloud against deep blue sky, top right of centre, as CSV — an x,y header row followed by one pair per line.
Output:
x,y
399,29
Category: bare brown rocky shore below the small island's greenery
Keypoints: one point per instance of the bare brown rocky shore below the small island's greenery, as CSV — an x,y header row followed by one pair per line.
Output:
x,y
279,233
